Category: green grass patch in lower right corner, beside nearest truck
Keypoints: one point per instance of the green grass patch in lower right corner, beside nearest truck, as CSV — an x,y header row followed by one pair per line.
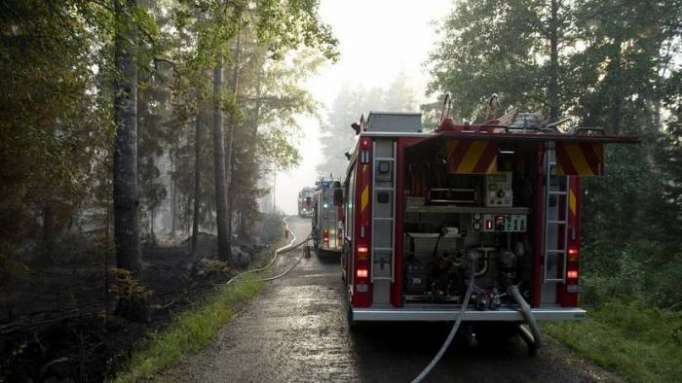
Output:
x,y
638,343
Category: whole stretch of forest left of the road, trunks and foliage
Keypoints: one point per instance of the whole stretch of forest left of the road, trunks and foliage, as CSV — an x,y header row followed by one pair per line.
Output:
x,y
130,133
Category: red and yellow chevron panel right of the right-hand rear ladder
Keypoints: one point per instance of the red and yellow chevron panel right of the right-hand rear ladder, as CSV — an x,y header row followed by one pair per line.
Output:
x,y
580,159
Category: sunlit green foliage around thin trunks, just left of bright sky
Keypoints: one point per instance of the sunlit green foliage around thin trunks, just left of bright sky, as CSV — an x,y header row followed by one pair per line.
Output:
x,y
270,48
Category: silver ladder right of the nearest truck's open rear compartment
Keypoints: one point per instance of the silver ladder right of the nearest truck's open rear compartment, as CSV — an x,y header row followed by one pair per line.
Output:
x,y
556,221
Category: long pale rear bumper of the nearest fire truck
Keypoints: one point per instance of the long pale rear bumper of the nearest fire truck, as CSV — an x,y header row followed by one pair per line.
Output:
x,y
445,315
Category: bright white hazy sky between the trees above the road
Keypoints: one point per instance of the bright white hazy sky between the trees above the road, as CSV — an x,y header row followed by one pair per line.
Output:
x,y
378,39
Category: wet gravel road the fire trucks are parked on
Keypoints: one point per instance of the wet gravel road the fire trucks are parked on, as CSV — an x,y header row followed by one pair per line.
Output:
x,y
297,332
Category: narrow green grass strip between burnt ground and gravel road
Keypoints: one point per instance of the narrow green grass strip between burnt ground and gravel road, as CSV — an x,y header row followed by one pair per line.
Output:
x,y
190,331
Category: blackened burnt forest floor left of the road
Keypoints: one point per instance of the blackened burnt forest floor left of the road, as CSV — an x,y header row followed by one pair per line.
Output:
x,y
56,329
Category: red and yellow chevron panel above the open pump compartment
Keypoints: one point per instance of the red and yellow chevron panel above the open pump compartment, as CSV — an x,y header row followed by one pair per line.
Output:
x,y
472,157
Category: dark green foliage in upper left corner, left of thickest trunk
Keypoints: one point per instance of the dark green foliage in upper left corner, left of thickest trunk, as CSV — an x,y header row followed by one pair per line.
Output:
x,y
50,125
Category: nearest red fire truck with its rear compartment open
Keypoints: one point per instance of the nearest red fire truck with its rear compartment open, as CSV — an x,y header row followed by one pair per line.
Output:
x,y
502,198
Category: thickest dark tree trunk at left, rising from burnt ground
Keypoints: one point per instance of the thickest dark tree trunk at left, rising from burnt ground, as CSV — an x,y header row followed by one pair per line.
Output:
x,y
126,226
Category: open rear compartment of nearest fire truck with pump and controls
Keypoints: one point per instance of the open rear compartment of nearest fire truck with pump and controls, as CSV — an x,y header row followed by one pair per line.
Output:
x,y
452,220
